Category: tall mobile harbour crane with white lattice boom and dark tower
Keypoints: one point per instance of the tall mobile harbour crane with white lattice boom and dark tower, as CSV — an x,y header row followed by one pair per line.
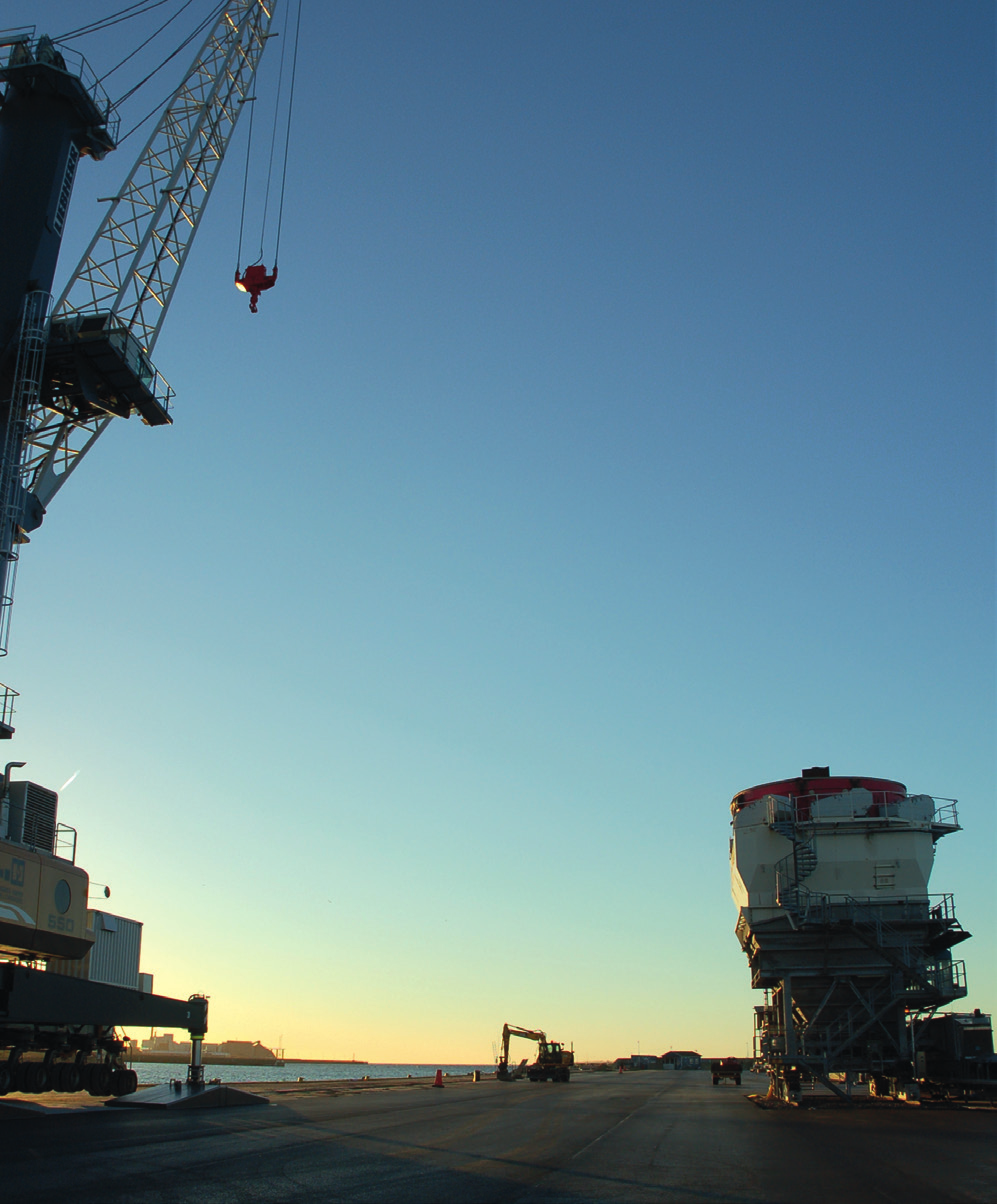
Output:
x,y
63,379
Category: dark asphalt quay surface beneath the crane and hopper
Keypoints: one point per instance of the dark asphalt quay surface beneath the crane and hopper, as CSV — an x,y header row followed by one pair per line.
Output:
x,y
646,1137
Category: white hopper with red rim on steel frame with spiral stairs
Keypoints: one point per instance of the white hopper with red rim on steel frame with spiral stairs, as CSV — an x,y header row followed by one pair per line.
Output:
x,y
830,876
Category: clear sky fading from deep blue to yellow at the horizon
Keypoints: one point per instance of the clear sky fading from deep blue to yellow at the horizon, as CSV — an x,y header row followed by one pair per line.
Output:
x,y
620,435
